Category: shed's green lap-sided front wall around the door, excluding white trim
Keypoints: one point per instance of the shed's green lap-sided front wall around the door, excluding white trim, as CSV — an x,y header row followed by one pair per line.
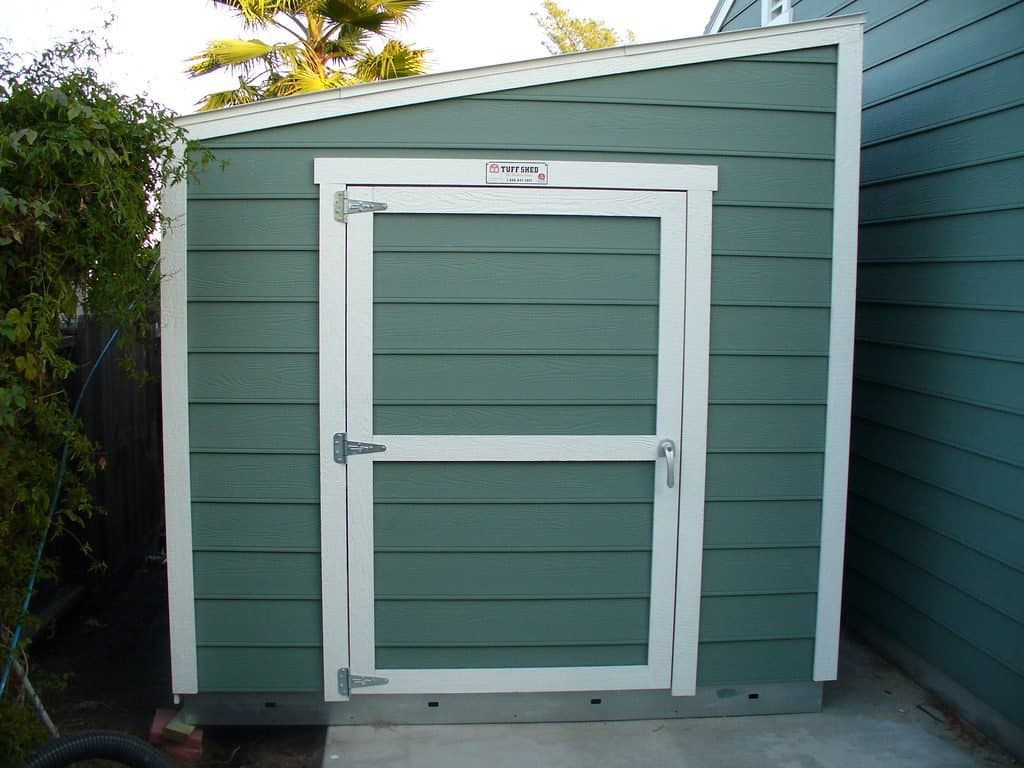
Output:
x,y
769,124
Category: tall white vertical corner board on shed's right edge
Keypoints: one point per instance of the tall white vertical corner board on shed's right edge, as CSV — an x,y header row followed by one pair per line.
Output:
x,y
844,269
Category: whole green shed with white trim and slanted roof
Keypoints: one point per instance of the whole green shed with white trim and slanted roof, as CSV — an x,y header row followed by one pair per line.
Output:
x,y
518,394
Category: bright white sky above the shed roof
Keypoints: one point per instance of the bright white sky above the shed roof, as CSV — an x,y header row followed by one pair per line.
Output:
x,y
151,40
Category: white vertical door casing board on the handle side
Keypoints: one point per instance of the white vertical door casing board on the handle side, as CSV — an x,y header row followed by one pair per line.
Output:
x,y
694,448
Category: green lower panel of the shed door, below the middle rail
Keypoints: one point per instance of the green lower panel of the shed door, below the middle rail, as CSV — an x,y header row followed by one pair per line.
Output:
x,y
492,565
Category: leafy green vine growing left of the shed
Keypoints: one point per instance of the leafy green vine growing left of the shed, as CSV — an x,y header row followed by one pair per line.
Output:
x,y
81,170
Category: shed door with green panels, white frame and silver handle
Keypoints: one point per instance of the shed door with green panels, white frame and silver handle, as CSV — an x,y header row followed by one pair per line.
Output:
x,y
520,354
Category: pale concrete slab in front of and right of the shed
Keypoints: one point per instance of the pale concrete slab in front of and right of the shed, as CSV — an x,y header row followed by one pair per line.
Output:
x,y
873,717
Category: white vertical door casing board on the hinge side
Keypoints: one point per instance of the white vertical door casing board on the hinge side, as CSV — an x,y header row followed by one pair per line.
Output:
x,y
333,418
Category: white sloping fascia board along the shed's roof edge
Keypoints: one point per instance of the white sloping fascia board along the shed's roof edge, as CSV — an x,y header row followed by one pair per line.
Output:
x,y
424,89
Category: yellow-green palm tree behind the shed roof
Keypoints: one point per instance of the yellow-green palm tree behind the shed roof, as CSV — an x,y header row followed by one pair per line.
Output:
x,y
327,47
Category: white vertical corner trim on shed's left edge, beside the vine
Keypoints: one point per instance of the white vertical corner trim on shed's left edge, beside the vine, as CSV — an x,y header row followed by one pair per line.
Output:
x,y
178,484
